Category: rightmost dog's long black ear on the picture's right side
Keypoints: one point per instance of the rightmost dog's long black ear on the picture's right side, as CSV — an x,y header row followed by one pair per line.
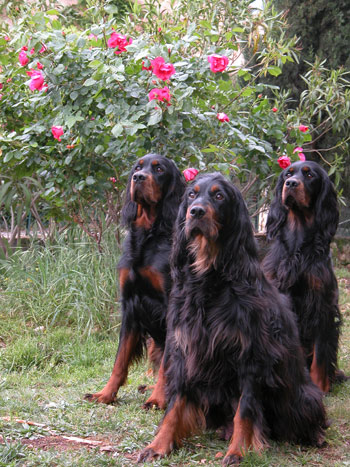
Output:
x,y
326,208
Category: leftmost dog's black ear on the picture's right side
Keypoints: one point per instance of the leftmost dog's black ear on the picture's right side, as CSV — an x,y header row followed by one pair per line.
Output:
x,y
173,196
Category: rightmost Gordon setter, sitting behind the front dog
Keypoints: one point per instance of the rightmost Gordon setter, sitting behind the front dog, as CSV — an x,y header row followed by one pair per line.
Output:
x,y
302,221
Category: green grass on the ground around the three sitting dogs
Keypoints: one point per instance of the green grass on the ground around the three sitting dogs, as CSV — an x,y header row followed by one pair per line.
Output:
x,y
58,336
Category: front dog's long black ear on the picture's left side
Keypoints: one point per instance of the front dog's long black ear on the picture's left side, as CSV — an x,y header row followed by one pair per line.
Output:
x,y
179,252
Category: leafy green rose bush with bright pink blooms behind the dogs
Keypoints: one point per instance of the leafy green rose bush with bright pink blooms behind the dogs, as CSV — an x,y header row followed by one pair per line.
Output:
x,y
105,87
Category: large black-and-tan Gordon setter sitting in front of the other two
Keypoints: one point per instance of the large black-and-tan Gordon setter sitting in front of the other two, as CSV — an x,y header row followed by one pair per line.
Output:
x,y
232,351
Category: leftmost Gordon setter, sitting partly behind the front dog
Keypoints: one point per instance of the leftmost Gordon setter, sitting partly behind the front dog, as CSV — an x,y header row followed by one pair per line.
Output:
x,y
153,195
